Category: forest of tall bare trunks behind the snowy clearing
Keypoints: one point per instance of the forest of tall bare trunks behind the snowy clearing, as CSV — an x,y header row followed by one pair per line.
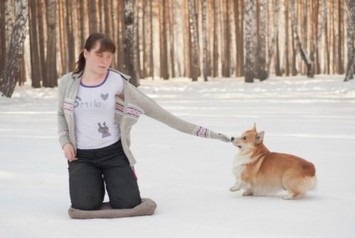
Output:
x,y
199,39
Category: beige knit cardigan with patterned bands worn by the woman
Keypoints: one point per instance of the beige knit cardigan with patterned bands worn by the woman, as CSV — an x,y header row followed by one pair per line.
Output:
x,y
127,112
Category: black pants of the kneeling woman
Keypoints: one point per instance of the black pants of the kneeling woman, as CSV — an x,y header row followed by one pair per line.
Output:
x,y
98,168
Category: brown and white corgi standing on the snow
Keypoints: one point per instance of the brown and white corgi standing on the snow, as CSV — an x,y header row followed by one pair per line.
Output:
x,y
259,171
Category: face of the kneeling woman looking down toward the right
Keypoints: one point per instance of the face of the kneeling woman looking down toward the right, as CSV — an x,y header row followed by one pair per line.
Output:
x,y
96,61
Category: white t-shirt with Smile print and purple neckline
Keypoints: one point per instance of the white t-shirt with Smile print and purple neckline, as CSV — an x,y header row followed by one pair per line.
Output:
x,y
94,113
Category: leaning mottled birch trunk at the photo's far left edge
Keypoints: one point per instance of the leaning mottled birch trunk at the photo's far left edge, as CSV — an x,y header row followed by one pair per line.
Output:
x,y
11,70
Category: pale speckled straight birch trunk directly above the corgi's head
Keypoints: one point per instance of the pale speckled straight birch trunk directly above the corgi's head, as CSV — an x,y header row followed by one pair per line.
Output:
x,y
250,36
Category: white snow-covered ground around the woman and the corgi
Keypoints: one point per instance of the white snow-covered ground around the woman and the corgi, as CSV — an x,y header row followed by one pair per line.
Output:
x,y
187,176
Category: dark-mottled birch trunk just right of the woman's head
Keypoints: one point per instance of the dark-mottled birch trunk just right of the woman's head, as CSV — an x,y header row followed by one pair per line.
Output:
x,y
128,46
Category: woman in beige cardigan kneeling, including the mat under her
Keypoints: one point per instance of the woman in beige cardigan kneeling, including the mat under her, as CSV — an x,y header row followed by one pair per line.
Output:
x,y
97,108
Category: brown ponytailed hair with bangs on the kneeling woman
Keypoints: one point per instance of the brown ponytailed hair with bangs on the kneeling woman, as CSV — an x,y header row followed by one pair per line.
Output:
x,y
106,44
